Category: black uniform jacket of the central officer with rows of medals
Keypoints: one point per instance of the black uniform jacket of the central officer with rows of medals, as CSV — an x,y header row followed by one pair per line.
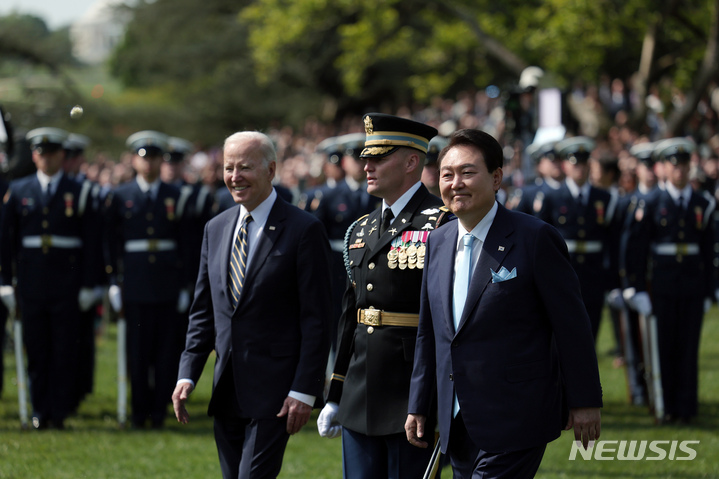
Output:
x,y
374,363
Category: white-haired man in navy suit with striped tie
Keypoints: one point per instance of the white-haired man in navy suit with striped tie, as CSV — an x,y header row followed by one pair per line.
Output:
x,y
261,303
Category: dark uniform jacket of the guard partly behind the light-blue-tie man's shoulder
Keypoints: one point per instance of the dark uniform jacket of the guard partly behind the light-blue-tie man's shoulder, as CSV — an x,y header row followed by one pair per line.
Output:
x,y
592,238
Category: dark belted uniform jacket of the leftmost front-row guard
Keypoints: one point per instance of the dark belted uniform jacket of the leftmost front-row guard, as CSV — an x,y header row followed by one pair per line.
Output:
x,y
48,246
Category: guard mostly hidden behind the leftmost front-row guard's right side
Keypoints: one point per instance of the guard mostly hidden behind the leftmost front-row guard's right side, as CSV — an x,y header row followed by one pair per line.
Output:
x,y
75,147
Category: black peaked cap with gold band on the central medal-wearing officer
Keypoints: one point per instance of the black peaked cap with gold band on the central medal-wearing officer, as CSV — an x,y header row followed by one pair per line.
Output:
x,y
386,133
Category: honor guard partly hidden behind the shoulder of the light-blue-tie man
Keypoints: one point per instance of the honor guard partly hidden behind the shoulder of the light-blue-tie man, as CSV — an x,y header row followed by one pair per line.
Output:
x,y
584,215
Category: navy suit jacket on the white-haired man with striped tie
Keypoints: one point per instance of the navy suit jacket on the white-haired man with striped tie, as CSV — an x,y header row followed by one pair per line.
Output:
x,y
278,337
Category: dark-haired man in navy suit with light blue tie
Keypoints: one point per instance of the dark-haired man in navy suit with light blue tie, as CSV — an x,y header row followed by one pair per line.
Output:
x,y
502,331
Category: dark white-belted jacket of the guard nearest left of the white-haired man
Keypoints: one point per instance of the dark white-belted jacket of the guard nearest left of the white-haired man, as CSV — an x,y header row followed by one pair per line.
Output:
x,y
146,243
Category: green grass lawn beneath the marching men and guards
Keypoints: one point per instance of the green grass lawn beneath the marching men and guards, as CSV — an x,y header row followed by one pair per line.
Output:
x,y
94,447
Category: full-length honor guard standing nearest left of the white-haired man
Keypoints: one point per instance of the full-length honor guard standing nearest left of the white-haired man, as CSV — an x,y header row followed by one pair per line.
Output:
x,y
146,236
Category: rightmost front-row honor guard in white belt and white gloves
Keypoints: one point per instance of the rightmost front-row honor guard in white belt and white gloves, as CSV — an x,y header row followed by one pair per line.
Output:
x,y
675,243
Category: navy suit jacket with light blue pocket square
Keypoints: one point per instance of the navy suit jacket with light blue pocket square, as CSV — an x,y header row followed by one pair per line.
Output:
x,y
513,339
